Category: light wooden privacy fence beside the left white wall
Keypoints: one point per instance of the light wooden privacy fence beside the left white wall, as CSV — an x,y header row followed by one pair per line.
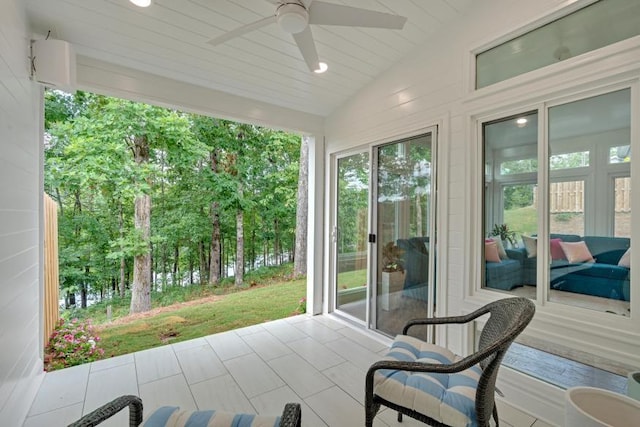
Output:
x,y
51,282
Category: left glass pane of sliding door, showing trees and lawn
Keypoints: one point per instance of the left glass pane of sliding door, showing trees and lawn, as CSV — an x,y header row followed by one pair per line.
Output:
x,y
350,234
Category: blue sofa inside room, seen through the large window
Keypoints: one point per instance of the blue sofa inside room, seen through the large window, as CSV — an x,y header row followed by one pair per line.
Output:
x,y
602,278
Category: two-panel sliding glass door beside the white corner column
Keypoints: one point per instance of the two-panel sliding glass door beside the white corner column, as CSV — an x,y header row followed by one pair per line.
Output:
x,y
383,233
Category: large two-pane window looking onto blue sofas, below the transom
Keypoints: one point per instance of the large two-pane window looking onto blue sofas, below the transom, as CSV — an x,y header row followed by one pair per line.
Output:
x,y
582,198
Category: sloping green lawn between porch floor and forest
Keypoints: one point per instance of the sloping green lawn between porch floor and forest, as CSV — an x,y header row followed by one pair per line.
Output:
x,y
268,297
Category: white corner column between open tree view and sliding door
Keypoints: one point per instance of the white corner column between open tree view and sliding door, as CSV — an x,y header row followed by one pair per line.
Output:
x,y
315,240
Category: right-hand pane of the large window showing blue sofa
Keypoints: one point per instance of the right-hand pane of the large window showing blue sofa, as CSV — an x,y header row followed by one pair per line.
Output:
x,y
590,174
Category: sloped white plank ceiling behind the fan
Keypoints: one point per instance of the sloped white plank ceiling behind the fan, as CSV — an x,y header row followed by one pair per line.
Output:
x,y
170,39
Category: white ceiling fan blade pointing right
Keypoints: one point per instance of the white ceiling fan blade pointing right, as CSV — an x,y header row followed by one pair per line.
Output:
x,y
322,13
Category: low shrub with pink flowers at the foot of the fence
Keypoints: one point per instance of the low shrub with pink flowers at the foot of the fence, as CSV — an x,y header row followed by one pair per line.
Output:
x,y
72,343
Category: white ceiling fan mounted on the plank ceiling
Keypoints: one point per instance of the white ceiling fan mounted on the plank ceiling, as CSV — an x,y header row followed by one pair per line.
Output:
x,y
294,17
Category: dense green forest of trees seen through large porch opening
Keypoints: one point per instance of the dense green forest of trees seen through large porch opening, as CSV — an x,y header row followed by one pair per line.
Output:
x,y
151,197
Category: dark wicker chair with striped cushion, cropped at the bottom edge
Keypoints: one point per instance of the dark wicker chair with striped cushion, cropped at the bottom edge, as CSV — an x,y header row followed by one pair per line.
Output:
x,y
291,415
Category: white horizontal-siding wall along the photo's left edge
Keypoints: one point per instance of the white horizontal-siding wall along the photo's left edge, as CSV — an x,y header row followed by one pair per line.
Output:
x,y
20,198
